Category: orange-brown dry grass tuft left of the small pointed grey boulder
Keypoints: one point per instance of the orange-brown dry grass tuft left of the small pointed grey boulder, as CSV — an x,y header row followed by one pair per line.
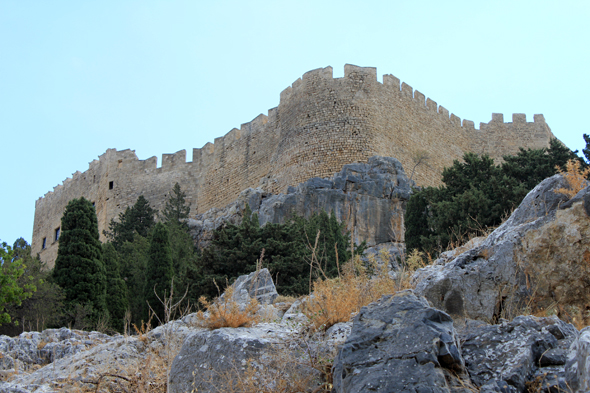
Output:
x,y
225,312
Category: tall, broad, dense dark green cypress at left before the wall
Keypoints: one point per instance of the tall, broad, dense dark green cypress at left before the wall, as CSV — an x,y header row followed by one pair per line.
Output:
x,y
79,268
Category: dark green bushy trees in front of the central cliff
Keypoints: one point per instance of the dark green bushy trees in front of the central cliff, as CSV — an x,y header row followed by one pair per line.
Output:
x,y
237,249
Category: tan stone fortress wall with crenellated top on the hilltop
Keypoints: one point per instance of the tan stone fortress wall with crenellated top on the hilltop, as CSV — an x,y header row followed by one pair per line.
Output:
x,y
320,124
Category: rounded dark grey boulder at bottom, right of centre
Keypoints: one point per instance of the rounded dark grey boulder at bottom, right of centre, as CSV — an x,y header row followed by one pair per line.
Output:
x,y
399,344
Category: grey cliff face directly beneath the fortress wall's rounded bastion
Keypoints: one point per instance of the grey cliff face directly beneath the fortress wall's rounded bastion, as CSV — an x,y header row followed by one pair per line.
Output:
x,y
369,197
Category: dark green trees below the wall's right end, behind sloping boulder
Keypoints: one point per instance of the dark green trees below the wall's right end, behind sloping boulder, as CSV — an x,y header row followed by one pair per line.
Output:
x,y
476,195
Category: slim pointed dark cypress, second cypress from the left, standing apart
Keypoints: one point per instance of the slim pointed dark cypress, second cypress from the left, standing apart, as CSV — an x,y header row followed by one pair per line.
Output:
x,y
159,271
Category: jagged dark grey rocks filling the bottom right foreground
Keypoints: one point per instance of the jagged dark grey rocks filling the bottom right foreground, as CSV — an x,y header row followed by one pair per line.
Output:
x,y
402,344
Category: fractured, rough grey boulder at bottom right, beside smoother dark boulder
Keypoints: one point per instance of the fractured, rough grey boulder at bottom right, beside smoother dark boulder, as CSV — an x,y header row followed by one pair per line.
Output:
x,y
512,354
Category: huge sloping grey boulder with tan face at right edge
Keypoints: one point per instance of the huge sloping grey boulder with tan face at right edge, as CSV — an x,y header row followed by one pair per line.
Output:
x,y
539,251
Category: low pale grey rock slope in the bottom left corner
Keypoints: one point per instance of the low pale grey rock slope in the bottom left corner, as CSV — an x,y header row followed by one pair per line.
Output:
x,y
59,360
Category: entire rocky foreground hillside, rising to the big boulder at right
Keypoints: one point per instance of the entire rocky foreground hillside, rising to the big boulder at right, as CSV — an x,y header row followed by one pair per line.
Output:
x,y
501,314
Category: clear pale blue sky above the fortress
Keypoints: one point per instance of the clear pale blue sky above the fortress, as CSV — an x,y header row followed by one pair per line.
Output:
x,y
79,77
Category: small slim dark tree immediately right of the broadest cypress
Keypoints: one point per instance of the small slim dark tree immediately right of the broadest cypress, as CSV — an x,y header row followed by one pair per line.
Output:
x,y
117,302
